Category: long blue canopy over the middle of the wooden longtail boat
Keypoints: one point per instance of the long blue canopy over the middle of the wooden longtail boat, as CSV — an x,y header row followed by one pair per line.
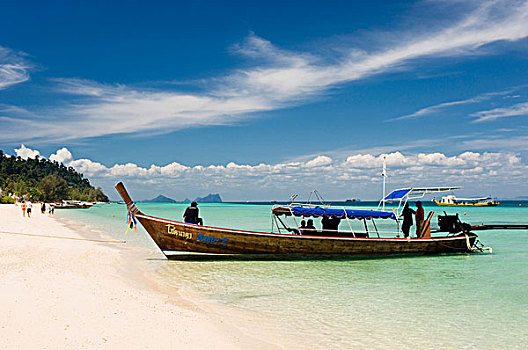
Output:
x,y
340,213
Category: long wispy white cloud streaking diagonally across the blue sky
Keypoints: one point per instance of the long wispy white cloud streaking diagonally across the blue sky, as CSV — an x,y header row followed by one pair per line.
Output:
x,y
279,78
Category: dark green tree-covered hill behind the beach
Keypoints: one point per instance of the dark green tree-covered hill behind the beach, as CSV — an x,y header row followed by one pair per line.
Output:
x,y
41,179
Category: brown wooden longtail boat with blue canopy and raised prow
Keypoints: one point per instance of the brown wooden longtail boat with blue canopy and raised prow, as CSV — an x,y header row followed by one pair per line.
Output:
x,y
179,238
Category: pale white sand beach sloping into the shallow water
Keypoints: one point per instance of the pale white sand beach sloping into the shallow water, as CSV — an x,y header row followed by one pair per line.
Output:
x,y
66,293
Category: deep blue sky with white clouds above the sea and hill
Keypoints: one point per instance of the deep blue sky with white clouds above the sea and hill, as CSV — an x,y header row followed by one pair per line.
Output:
x,y
257,100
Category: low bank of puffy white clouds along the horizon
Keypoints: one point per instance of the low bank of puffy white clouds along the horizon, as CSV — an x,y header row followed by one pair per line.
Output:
x,y
503,173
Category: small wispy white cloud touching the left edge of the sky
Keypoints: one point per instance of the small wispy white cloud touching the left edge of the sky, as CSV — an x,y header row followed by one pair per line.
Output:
x,y
13,68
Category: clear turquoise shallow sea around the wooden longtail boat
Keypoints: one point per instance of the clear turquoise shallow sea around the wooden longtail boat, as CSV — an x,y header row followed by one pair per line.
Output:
x,y
461,301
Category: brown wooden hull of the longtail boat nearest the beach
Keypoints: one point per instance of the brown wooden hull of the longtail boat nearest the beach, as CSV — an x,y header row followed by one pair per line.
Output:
x,y
174,237
